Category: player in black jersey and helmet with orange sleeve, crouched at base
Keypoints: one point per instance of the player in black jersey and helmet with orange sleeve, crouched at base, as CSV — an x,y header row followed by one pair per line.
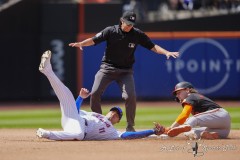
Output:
x,y
209,120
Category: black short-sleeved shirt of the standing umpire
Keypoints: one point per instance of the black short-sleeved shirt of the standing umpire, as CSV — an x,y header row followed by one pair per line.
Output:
x,y
119,52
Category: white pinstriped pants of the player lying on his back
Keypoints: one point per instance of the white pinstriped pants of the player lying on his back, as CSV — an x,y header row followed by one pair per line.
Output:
x,y
73,125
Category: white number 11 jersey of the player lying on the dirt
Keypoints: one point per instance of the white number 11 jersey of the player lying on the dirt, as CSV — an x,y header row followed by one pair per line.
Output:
x,y
98,127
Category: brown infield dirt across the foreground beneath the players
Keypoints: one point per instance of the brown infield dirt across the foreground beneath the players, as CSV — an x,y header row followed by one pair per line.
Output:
x,y
23,144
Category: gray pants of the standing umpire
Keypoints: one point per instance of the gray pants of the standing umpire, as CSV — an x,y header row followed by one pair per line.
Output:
x,y
124,79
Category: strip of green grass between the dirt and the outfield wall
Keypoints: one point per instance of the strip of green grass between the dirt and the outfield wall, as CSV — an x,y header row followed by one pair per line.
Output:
x,y
51,118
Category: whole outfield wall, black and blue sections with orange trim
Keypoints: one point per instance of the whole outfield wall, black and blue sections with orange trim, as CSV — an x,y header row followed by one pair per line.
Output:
x,y
30,27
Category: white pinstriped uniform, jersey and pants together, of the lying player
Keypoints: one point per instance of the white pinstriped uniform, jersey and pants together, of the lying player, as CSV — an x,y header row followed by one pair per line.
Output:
x,y
83,126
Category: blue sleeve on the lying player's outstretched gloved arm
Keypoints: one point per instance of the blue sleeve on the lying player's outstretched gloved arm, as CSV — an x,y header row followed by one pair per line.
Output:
x,y
137,135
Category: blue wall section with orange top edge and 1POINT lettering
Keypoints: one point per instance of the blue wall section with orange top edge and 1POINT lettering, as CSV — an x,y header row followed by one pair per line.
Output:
x,y
209,60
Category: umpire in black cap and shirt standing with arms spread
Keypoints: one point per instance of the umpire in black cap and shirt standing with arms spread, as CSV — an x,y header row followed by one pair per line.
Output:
x,y
118,60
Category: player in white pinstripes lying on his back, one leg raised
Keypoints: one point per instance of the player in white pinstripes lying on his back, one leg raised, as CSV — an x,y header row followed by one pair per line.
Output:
x,y
81,125
